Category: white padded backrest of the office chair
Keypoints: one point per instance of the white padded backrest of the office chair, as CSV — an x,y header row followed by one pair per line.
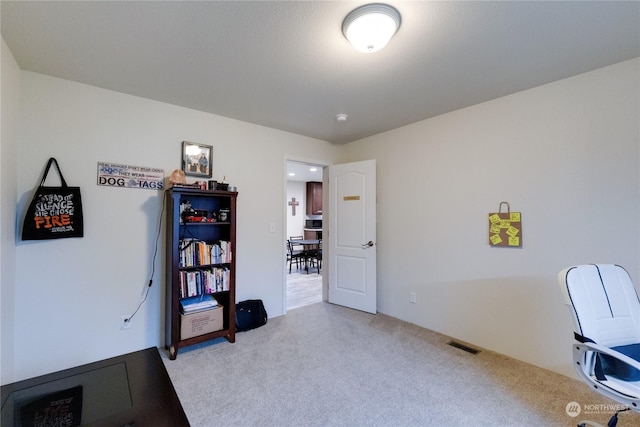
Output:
x,y
603,303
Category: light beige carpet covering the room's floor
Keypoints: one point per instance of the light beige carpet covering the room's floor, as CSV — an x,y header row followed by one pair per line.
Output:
x,y
325,365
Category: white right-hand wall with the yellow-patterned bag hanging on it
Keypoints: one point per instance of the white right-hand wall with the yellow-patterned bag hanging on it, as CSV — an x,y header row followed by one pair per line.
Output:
x,y
564,154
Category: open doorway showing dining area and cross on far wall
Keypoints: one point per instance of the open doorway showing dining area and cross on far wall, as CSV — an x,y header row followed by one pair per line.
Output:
x,y
303,221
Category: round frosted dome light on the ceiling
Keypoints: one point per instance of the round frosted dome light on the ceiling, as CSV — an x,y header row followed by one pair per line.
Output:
x,y
370,27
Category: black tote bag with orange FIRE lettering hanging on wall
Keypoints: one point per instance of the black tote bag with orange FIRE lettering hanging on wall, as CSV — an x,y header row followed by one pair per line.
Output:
x,y
54,212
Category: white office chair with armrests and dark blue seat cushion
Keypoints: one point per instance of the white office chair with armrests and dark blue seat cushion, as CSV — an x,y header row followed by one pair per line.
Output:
x,y
606,313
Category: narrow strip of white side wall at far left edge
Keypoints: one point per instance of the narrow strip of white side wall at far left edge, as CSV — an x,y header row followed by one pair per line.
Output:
x,y
9,130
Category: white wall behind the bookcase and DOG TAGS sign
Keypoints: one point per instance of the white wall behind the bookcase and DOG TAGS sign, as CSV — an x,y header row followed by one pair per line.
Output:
x,y
71,293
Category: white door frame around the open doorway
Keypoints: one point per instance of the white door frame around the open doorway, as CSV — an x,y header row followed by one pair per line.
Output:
x,y
283,237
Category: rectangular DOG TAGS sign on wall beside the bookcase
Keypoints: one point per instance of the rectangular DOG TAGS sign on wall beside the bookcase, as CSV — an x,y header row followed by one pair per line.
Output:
x,y
125,176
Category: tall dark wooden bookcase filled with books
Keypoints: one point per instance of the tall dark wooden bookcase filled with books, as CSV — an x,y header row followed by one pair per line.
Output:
x,y
190,272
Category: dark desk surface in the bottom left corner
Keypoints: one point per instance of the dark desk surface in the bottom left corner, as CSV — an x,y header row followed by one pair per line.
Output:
x,y
129,390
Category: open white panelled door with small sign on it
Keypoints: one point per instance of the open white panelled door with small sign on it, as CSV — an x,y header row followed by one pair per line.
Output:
x,y
352,235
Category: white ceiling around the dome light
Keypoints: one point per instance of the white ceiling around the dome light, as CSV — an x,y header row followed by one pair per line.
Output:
x,y
286,64
